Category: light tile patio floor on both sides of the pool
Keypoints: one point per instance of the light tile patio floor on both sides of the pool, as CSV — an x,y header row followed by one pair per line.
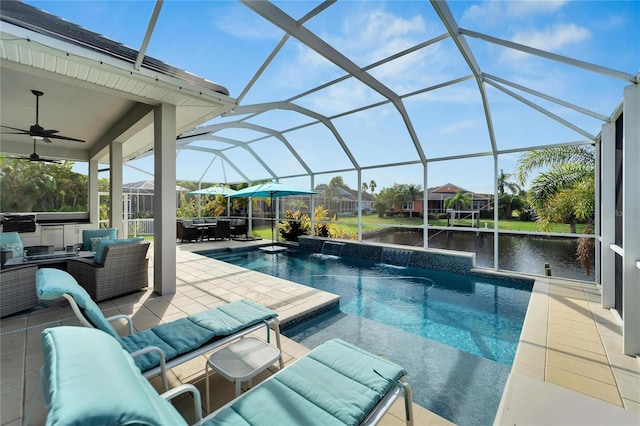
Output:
x,y
569,355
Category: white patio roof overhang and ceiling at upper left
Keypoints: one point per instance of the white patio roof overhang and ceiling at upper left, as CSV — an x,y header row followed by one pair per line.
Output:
x,y
95,89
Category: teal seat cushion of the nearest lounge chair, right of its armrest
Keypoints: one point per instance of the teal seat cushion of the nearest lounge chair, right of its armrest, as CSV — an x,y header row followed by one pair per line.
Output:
x,y
335,384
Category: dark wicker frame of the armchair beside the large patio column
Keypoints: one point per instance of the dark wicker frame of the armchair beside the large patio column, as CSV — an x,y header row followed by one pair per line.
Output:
x,y
125,269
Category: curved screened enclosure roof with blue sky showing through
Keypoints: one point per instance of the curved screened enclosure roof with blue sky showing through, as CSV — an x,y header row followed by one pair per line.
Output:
x,y
387,88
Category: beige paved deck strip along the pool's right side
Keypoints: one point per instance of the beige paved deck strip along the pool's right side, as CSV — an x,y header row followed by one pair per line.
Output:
x,y
538,391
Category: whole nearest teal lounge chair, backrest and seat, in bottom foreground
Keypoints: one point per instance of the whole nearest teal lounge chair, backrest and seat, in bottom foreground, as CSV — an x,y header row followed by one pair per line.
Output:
x,y
96,382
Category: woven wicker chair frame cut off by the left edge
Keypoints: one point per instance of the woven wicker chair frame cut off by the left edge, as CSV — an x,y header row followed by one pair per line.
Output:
x,y
17,289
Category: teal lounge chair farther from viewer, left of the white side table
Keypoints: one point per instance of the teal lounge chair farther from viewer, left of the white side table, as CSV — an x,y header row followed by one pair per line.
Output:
x,y
165,345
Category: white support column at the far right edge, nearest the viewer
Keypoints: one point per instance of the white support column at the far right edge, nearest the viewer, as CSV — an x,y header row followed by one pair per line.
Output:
x,y
631,222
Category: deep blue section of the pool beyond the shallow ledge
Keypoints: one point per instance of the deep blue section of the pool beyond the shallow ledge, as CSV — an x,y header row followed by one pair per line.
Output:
x,y
478,315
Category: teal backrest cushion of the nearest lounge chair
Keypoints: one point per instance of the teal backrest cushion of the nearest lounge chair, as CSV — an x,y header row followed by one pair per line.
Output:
x,y
92,381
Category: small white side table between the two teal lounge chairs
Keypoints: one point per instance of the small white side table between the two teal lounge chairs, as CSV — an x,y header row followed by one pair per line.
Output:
x,y
241,361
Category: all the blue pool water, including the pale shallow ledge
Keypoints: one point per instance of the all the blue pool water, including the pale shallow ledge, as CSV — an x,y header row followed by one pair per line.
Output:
x,y
456,335
